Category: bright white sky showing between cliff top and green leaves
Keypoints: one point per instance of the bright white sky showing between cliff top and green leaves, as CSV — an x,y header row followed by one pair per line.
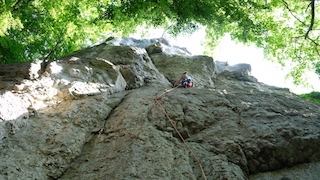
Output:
x,y
265,71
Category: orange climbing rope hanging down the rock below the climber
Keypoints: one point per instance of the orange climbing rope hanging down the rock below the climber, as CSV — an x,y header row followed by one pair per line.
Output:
x,y
181,137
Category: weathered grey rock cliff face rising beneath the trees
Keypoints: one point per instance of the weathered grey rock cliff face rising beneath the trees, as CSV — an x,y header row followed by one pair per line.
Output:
x,y
92,115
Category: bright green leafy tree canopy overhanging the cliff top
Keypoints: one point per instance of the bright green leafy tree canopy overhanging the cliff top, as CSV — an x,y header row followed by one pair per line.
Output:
x,y
287,30
